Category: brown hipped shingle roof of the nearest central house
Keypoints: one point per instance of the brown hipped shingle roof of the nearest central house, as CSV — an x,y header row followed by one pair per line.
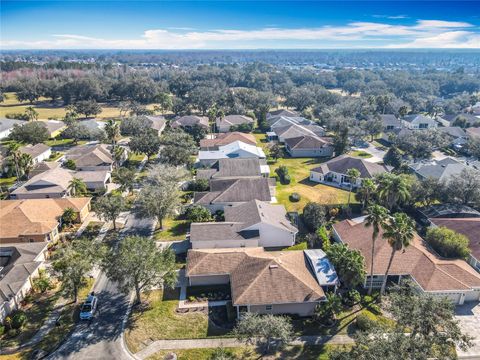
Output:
x,y
259,277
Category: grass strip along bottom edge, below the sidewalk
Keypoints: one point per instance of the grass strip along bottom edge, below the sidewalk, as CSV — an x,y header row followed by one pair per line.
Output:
x,y
250,353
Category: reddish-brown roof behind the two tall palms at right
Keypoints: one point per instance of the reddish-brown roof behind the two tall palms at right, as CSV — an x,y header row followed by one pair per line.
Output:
x,y
431,272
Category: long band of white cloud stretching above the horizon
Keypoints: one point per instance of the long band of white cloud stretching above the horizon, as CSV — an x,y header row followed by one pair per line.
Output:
x,y
424,33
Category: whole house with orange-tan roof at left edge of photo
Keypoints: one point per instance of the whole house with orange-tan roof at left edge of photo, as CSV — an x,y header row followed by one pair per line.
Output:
x,y
34,220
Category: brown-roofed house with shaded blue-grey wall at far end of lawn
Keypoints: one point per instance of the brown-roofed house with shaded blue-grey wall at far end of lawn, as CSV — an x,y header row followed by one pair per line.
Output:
x,y
309,146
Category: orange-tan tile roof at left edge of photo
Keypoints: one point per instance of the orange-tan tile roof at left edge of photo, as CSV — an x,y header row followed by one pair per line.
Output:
x,y
34,216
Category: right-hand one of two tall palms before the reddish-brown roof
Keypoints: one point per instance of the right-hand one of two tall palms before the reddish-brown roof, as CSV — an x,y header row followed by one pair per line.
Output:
x,y
399,232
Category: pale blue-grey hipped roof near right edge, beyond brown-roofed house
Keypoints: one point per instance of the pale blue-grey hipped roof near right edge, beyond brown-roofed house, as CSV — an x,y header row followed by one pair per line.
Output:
x,y
438,169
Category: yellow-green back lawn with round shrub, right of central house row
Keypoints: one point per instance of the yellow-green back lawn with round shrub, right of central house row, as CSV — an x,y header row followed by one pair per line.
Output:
x,y
299,171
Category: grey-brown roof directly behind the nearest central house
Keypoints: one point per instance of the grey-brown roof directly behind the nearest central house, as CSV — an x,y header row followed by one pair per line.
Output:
x,y
239,218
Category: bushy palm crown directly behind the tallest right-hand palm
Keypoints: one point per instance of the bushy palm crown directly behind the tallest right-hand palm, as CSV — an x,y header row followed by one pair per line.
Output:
x,y
393,189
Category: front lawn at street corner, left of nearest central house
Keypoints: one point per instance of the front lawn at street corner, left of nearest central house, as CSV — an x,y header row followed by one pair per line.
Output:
x,y
160,321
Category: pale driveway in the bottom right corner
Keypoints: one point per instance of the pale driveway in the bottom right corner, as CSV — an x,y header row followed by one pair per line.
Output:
x,y
468,316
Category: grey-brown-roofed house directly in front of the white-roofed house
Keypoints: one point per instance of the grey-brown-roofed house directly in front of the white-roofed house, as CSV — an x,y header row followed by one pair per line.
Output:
x,y
235,169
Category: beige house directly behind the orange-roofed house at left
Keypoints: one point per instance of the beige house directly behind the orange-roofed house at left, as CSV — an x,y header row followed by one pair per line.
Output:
x,y
54,183
